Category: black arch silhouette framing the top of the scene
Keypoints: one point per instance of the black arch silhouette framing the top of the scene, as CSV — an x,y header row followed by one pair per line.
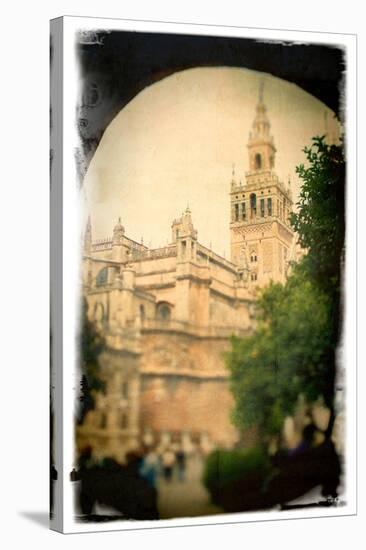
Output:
x,y
119,64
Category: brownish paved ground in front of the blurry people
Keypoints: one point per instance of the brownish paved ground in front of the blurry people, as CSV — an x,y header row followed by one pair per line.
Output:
x,y
188,498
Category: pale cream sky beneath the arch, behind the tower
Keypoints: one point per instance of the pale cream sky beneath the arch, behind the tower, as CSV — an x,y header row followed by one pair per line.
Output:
x,y
175,143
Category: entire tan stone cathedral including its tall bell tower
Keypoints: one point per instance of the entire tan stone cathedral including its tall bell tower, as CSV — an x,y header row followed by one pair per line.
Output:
x,y
167,314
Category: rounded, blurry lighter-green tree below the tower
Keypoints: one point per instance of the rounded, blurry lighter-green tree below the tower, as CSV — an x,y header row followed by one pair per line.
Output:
x,y
283,358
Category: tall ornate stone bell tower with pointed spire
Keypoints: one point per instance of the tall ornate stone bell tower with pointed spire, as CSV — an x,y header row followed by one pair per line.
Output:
x,y
260,229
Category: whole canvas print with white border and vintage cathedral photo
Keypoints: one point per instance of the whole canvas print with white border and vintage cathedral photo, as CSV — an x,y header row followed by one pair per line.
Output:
x,y
208,375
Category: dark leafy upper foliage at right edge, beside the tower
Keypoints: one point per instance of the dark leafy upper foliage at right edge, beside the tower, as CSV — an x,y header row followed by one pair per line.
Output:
x,y
319,221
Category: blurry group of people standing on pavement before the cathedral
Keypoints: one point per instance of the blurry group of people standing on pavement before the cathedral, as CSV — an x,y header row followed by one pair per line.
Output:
x,y
165,462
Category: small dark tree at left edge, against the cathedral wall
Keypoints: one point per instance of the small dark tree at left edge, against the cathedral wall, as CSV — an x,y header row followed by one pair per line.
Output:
x,y
91,345
